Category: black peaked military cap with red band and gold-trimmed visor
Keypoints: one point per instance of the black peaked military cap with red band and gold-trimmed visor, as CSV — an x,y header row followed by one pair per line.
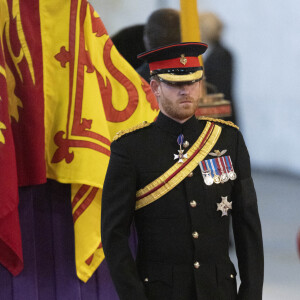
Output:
x,y
176,62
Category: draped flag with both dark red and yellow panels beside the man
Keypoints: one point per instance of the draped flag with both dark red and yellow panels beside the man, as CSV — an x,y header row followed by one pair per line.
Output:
x,y
83,92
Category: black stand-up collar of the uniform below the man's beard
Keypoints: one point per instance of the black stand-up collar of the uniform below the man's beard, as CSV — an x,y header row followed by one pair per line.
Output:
x,y
190,127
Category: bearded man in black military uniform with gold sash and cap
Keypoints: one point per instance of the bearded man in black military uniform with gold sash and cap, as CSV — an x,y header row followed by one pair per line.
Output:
x,y
180,179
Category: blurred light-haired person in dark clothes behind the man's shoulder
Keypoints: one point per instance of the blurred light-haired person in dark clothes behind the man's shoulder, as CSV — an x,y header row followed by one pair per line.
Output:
x,y
218,60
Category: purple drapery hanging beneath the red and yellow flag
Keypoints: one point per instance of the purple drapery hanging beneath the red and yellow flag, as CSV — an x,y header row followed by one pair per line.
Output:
x,y
48,248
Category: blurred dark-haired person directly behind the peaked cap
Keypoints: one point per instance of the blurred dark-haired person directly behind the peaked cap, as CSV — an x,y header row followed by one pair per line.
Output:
x,y
162,28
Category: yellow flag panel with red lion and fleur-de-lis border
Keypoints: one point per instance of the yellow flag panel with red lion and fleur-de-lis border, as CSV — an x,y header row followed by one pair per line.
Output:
x,y
90,93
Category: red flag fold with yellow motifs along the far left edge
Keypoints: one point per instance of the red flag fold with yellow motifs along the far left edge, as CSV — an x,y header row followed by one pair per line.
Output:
x,y
10,236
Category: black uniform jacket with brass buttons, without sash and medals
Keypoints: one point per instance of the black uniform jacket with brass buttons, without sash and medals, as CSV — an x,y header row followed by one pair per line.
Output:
x,y
182,248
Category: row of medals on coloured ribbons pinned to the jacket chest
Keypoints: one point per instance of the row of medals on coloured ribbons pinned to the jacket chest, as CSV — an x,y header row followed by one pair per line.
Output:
x,y
217,170
